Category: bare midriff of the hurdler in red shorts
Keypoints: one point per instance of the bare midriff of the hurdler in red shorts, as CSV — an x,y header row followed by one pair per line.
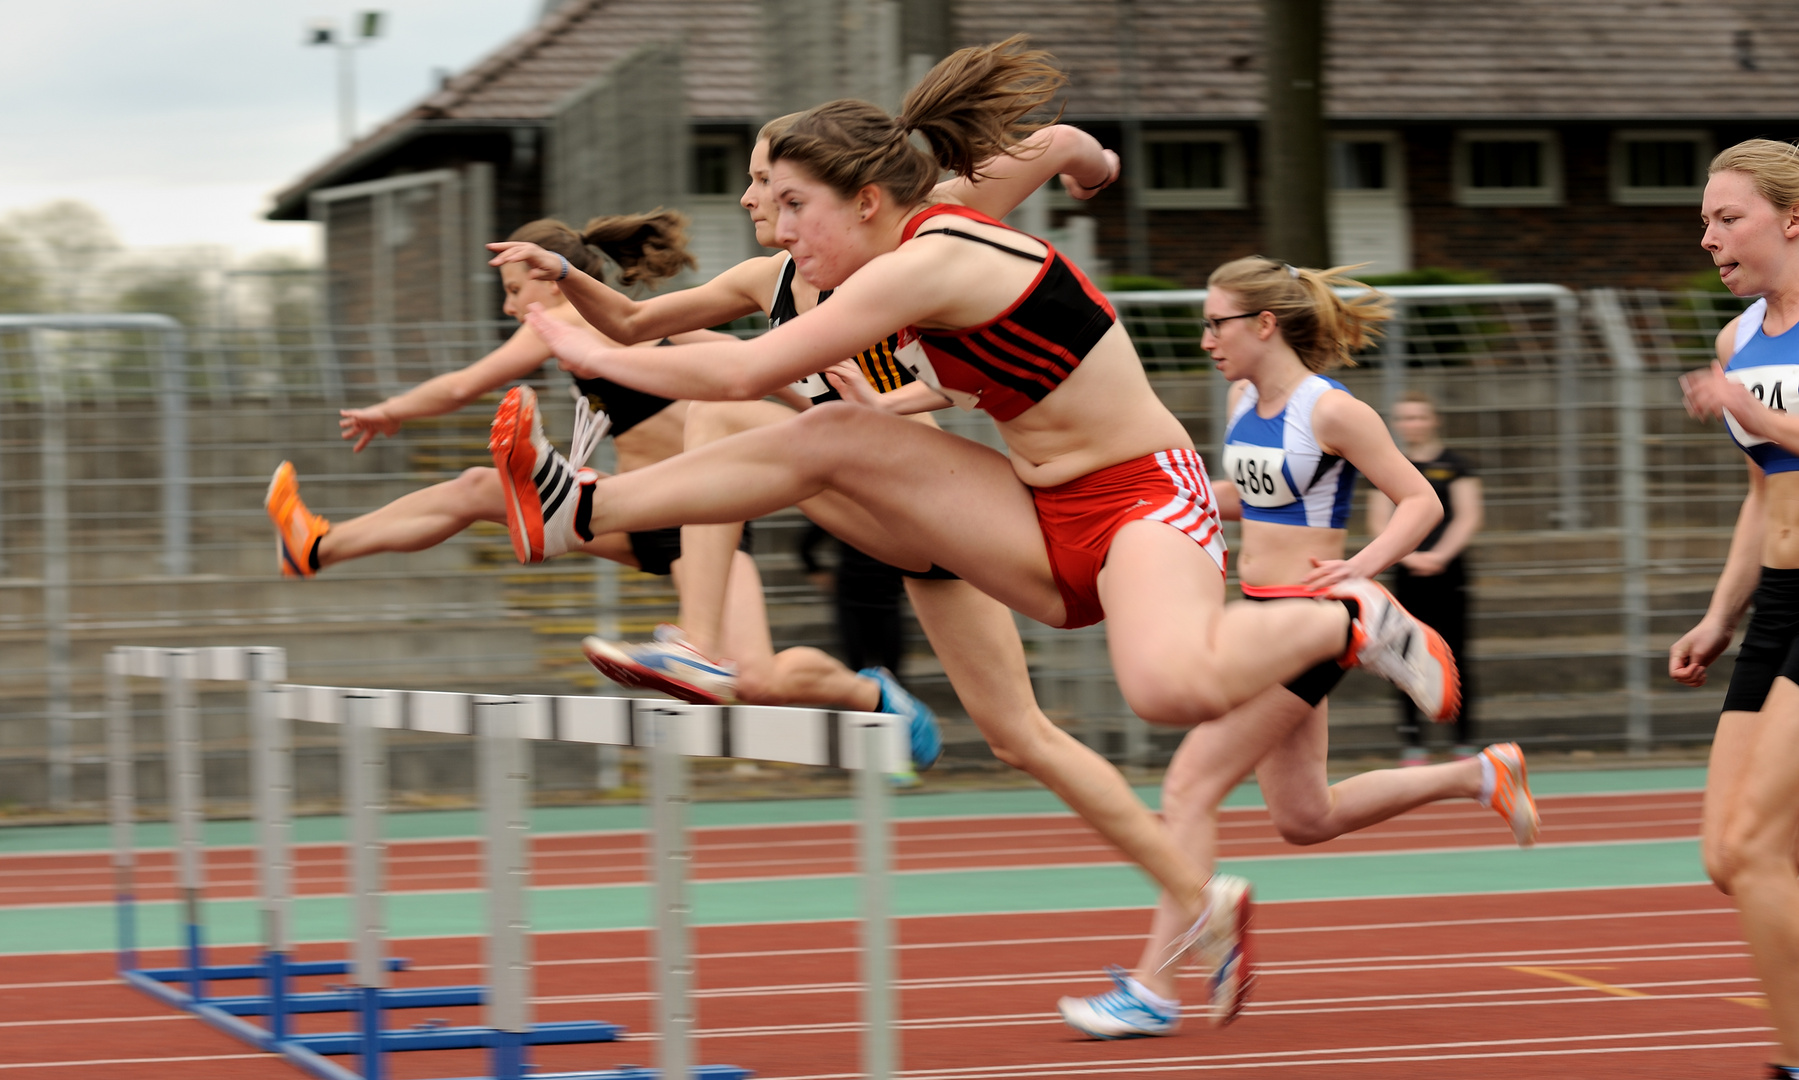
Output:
x,y
1102,415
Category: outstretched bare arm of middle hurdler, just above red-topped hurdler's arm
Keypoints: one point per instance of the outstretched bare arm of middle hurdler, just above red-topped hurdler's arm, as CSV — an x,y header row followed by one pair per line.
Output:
x,y
729,296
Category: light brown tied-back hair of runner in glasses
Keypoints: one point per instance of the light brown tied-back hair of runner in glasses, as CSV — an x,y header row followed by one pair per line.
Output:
x,y
1320,325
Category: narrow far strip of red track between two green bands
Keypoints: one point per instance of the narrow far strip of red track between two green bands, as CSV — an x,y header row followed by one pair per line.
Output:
x,y
591,859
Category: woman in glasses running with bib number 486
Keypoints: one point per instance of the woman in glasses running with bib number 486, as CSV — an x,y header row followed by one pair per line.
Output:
x,y
1293,453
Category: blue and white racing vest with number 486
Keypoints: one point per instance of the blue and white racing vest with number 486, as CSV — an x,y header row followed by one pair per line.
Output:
x,y
1278,467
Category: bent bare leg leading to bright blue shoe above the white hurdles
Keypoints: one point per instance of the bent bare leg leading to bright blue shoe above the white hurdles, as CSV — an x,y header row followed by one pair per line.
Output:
x,y
794,676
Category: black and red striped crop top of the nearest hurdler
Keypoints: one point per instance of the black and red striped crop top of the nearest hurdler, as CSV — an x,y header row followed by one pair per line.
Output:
x,y
1016,359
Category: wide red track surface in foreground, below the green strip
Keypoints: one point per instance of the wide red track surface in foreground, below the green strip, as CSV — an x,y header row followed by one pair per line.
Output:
x,y
1552,985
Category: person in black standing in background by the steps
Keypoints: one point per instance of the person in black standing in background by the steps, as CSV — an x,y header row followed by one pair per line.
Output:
x,y
1433,582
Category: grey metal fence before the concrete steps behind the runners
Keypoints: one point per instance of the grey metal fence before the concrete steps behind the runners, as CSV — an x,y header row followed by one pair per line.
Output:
x,y
134,458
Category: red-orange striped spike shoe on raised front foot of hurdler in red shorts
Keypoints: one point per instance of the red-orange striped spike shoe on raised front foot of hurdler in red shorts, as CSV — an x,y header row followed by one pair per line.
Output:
x,y
542,487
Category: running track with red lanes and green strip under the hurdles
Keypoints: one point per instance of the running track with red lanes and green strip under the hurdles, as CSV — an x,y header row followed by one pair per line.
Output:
x,y
1501,976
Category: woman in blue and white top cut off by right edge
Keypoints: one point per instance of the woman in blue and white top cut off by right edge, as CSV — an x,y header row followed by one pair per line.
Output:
x,y
1750,831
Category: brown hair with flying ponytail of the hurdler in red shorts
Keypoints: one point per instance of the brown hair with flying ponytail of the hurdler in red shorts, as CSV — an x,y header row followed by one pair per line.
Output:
x,y
972,107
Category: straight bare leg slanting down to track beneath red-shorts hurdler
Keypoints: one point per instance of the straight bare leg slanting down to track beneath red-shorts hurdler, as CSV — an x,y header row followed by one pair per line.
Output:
x,y
983,656
